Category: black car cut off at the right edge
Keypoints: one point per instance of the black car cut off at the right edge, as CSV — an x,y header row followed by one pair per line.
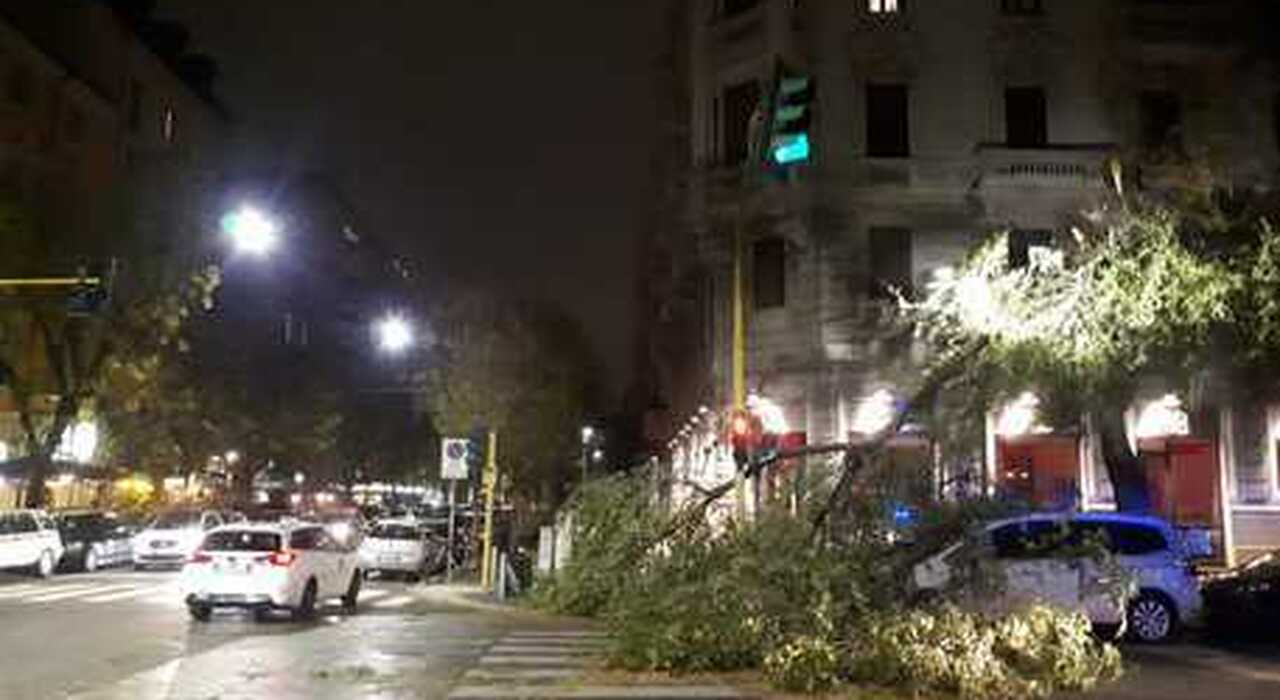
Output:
x,y
1245,605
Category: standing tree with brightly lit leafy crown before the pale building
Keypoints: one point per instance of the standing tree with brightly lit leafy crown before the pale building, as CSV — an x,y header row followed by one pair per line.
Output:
x,y
1180,289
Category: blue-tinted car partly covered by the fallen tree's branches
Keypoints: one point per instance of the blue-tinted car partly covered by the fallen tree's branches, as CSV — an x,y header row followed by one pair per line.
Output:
x,y
1034,557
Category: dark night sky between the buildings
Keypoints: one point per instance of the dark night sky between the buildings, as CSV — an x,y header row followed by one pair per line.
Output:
x,y
501,141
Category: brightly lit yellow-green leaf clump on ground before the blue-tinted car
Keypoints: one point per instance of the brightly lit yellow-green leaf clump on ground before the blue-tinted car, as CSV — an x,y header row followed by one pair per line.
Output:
x,y
1026,655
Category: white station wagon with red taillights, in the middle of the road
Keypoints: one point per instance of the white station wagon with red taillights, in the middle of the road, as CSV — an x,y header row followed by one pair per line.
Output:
x,y
267,568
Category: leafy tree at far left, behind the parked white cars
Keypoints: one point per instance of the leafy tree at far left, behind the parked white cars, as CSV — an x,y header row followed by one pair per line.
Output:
x,y
60,360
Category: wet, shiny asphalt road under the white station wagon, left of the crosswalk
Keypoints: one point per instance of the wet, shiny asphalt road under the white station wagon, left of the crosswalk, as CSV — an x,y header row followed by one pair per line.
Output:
x,y
127,635
